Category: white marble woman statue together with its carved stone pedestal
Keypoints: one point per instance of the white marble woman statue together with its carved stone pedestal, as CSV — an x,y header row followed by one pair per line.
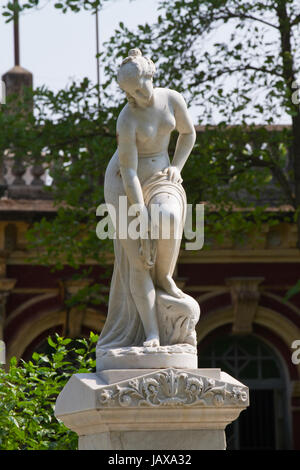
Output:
x,y
147,392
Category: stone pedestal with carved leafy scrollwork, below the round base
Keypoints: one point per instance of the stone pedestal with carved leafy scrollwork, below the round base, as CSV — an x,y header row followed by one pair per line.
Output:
x,y
151,409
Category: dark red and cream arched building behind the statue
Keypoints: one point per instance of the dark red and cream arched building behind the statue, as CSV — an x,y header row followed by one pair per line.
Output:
x,y
247,327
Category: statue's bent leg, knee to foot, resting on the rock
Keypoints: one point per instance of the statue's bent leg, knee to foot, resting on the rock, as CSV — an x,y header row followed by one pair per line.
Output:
x,y
168,248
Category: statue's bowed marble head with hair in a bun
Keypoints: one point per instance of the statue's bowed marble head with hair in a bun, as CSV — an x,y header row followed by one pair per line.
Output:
x,y
135,77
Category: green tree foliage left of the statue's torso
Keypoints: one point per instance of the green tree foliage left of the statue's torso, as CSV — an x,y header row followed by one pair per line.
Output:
x,y
73,139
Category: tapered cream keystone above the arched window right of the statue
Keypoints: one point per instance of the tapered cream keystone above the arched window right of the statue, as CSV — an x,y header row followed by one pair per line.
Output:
x,y
245,296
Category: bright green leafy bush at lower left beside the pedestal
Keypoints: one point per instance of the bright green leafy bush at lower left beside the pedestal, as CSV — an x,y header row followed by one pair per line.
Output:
x,y
28,392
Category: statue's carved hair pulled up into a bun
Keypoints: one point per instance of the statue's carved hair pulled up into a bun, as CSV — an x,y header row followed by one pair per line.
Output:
x,y
134,65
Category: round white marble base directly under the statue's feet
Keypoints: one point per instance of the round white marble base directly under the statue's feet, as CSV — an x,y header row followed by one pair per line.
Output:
x,y
179,356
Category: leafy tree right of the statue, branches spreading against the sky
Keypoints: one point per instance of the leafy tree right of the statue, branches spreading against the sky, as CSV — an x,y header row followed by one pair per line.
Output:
x,y
247,78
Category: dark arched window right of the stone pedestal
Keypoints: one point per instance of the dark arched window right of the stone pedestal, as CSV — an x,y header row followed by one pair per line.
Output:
x,y
265,424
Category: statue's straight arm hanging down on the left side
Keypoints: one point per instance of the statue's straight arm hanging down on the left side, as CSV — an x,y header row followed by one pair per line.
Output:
x,y
128,158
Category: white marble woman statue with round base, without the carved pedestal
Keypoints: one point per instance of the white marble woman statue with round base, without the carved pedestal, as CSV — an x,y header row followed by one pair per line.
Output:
x,y
147,312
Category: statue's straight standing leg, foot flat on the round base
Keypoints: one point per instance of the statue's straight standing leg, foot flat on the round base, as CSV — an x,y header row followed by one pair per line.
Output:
x,y
143,292
